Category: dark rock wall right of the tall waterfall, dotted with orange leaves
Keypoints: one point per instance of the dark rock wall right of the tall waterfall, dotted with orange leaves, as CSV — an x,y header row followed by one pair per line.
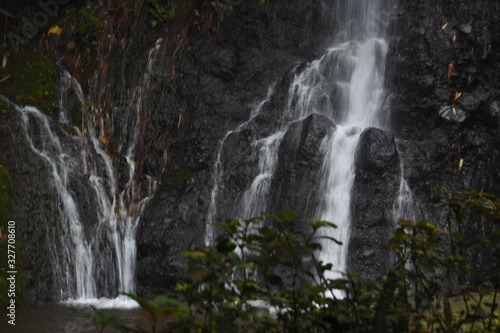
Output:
x,y
443,72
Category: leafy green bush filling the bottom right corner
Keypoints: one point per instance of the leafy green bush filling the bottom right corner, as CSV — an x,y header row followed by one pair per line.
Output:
x,y
432,276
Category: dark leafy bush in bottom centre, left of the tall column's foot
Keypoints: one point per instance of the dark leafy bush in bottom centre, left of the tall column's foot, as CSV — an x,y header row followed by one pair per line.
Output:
x,y
230,281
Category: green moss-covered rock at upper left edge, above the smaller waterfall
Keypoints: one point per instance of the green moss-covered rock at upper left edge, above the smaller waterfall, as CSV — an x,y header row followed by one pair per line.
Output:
x,y
31,79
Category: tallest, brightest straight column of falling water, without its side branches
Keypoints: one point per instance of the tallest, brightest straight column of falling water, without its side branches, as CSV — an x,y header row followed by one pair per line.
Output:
x,y
363,96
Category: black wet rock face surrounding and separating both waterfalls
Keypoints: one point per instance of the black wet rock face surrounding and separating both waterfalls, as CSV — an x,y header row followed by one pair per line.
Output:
x,y
443,77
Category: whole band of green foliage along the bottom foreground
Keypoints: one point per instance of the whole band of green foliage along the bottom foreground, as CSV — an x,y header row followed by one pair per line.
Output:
x,y
262,274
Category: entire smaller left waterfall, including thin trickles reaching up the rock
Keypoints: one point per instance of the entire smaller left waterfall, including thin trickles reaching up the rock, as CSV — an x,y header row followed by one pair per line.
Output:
x,y
95,252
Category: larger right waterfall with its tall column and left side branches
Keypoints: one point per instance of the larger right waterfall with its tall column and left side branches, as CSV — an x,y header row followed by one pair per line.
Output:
x,y
347,85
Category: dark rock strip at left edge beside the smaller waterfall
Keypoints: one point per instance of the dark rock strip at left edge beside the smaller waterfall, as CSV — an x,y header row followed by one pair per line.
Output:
x,y
28,175
